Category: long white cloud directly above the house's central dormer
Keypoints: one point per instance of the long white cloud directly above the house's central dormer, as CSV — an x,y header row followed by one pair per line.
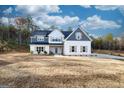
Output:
x,y
45,21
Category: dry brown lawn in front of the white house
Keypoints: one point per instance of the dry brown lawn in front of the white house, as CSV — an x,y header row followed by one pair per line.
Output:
x,y
25,70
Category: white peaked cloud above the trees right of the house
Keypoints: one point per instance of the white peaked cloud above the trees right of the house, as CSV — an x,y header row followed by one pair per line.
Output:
x,y
95,22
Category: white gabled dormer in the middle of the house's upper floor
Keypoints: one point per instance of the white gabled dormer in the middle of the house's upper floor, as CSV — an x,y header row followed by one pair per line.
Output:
x,y
56,36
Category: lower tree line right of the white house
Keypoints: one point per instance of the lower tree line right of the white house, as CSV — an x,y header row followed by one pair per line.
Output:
x,y
108,42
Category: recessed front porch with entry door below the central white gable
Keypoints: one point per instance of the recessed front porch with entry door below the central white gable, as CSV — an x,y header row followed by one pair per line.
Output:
x,y
56,49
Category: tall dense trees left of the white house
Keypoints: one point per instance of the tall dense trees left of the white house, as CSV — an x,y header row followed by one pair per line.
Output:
x,y
15,36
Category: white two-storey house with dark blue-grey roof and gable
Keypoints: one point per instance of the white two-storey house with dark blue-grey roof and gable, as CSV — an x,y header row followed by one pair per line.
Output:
x,y
59,42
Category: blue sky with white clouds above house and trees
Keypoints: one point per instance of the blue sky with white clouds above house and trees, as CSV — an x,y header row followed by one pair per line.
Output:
x,y
97,20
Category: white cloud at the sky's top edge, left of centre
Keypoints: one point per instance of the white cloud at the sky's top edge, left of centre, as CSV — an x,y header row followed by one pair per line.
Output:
x,y
38,9
